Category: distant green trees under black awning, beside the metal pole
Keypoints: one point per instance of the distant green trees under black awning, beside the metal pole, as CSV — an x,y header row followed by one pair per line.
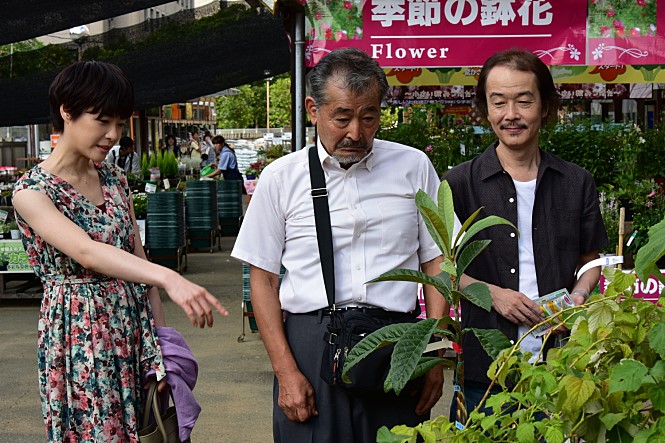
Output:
x,y
247,109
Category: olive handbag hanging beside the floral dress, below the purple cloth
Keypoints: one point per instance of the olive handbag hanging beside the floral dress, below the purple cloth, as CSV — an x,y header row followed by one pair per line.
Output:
x,y
164,429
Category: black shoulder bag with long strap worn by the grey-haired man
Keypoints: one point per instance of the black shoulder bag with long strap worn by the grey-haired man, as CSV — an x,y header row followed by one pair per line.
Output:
x,y
347,326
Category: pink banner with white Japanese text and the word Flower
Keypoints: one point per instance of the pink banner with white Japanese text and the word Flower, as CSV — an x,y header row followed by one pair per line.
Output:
x,y
450,33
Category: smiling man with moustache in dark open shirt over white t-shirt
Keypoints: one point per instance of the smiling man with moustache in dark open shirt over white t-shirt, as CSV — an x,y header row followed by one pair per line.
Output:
x,y
554,205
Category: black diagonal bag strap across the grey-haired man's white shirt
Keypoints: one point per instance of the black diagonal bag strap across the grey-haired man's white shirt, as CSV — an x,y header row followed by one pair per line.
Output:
x,y
322,220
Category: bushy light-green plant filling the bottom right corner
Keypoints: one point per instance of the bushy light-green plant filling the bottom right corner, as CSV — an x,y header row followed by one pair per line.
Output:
x,y
607,383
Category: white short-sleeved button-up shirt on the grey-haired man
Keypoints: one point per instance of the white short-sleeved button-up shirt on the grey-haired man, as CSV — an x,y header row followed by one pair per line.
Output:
x,y
376,227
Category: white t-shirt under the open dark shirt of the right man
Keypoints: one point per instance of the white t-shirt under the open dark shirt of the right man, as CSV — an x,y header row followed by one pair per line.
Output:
x,y
526,193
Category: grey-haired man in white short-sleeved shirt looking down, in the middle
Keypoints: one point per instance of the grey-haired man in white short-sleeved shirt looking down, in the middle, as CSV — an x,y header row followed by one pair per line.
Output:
x,y
376,227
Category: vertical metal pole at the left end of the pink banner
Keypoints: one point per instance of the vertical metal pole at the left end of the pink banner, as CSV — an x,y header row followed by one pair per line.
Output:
x,y
299,81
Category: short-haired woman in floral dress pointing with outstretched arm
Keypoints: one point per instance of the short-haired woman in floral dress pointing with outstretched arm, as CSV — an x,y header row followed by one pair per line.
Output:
x,y
97,327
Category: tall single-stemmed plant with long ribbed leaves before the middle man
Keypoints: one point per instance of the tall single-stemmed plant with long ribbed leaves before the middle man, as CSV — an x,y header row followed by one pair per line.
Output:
x,y
411,339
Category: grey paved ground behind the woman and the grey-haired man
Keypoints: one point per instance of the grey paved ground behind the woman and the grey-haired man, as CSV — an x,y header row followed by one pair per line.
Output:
x,y
235,379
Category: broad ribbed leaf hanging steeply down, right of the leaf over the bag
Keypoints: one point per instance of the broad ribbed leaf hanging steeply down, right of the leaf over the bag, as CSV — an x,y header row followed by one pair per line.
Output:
x,y
408,352
